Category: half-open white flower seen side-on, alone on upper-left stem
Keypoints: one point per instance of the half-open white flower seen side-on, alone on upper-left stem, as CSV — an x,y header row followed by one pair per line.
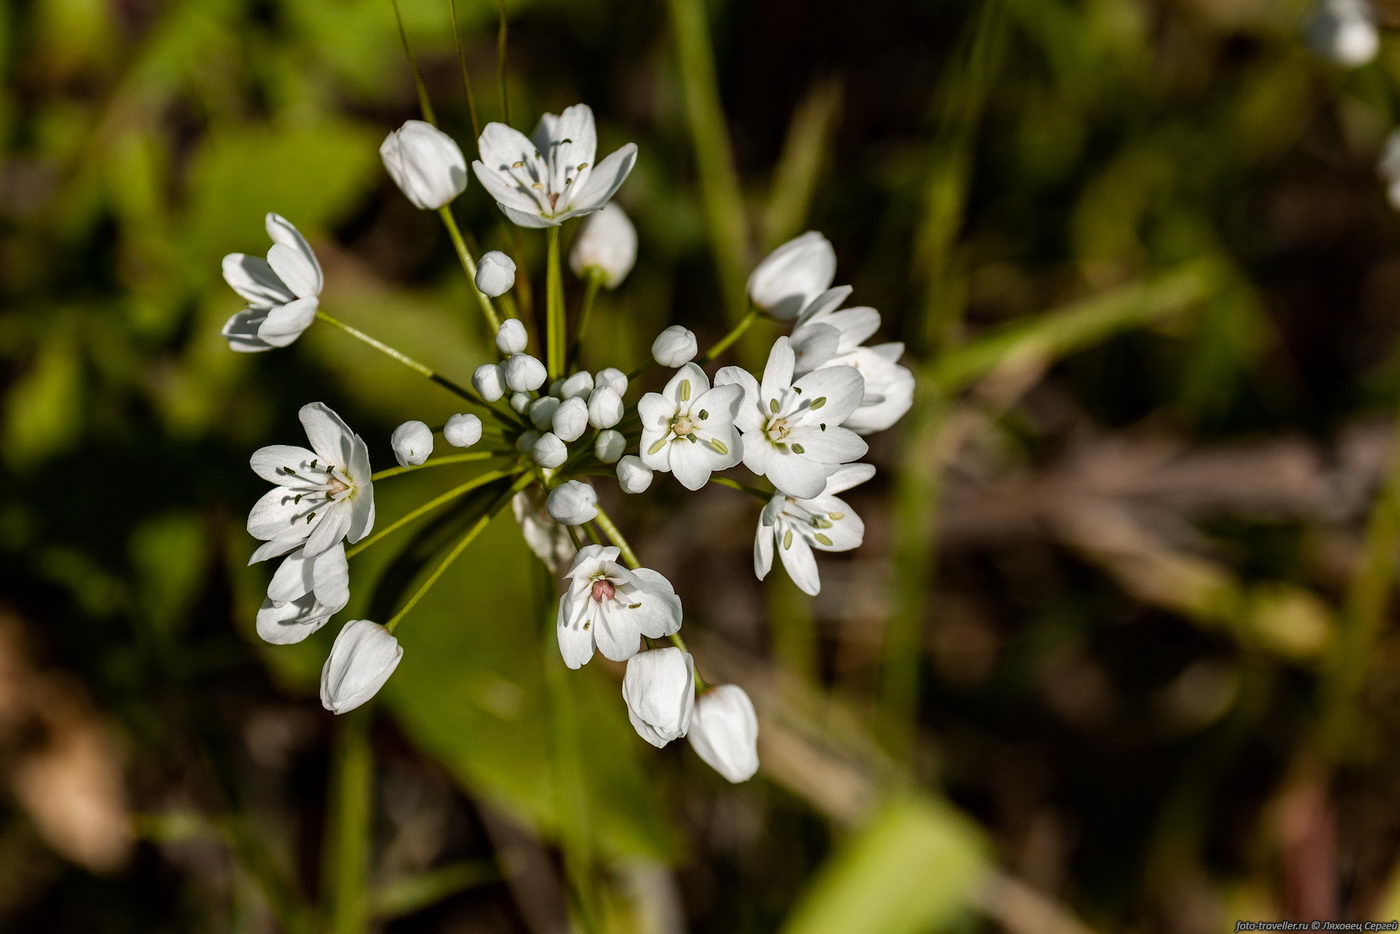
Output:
x,y
283,292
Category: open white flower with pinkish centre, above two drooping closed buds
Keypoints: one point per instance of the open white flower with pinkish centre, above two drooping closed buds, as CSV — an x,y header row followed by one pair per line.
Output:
x,y
611,607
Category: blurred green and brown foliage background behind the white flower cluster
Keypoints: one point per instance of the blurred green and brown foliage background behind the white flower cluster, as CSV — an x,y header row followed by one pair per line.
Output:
x,y
1116,655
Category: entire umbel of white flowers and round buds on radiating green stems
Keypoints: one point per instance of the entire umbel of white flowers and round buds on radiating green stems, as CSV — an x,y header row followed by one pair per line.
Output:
x,y
549,431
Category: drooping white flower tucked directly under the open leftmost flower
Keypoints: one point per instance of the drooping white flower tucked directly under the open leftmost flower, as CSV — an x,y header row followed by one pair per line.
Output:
x,y
304,594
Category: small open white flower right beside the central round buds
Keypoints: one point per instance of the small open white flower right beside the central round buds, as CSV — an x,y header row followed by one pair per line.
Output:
x,y
688,428
